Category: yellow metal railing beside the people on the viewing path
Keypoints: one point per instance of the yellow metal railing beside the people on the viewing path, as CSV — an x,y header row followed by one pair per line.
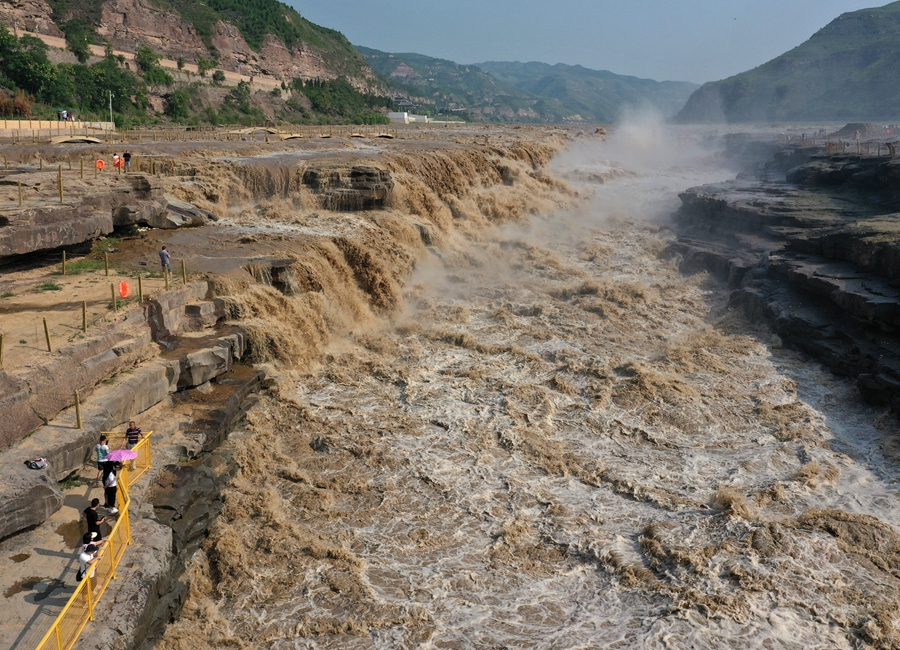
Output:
x,y
80,609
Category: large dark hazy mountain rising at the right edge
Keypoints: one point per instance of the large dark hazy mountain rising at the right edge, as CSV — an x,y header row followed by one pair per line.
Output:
x,y
848,71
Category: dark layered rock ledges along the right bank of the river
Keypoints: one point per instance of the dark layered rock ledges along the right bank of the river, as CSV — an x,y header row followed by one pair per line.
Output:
x,y
813,249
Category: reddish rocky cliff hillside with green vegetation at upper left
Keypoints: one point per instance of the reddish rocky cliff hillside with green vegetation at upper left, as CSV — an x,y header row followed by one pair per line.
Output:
x,y
252,37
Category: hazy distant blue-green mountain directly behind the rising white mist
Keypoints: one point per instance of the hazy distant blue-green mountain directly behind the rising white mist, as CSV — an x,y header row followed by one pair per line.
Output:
x,y
592,95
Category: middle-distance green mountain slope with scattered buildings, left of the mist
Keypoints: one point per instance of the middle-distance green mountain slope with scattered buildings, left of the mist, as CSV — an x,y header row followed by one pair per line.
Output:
x,y
445,86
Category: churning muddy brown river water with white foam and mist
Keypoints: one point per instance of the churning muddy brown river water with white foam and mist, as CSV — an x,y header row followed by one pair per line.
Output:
x,y
558,442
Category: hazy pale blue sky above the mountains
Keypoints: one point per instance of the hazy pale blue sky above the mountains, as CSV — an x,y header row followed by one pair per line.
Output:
x,y
678,40
